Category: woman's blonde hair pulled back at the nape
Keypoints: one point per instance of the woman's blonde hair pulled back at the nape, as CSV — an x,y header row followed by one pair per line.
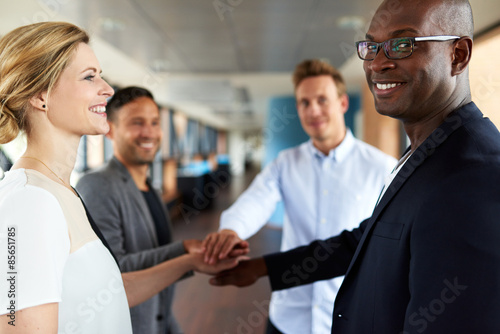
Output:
x,y
32,59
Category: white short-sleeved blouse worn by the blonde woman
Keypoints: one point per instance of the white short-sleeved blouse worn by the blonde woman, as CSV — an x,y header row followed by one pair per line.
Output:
x,y
50,254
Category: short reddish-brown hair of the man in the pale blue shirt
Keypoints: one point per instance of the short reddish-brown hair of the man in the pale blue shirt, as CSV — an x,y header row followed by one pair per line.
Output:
x,y
315,67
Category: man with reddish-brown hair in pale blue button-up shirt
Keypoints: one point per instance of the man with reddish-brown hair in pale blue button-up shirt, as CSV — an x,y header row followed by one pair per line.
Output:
x,y
327,184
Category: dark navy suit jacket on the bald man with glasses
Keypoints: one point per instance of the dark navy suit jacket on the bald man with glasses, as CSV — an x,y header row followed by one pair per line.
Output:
x,y
428,260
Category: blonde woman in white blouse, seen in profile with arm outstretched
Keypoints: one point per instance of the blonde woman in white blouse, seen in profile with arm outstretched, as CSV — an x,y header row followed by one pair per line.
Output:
x,y
56,273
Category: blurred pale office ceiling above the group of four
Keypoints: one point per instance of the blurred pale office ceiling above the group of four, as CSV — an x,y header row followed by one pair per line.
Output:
x,y
217,60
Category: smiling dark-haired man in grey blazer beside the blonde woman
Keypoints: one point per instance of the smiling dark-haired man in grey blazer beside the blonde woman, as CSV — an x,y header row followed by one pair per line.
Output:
x,y
127,209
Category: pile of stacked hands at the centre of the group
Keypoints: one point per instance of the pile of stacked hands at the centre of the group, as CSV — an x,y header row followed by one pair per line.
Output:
x,y
222,254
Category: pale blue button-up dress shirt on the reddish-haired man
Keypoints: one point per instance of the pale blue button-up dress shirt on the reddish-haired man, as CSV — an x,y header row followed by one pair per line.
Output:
x,y
322,195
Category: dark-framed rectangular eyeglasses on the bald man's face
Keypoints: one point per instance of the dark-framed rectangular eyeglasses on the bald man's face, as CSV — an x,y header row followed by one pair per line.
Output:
x,y
395,48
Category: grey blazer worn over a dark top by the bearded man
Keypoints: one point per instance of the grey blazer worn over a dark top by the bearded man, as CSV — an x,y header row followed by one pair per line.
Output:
x,y
121,213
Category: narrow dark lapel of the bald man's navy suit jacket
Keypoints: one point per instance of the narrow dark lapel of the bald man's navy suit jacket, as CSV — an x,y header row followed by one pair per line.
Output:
x,y
453,122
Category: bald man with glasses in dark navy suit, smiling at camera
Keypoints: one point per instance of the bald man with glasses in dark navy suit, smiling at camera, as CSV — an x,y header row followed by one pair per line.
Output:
x,y
427,261
